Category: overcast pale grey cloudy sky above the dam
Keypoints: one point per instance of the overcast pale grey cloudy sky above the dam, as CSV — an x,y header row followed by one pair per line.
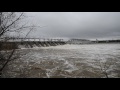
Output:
x,y
88,25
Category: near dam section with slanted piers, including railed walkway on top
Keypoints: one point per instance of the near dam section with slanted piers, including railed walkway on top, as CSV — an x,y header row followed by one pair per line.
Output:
x,y
18,43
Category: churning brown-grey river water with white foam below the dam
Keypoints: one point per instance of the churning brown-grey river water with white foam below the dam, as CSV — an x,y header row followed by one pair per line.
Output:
x,y
67,61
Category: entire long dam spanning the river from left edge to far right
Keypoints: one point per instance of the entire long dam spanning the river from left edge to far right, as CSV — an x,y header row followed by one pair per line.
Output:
x,y
19,43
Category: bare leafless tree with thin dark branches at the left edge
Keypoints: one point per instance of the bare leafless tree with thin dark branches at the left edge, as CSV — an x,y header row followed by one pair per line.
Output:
x,y
10,22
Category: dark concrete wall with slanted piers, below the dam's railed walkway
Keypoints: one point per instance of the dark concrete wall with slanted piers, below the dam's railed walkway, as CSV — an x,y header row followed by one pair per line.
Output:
x,y
29,44
